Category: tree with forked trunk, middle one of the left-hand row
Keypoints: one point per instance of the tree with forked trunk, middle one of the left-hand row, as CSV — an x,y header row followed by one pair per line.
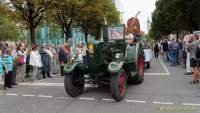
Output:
x,y
64,13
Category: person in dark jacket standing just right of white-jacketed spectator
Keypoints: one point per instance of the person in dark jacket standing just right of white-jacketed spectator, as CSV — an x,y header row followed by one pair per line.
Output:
x,y
46,61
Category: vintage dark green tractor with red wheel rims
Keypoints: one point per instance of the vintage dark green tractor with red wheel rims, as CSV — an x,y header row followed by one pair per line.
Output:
x,y
110,62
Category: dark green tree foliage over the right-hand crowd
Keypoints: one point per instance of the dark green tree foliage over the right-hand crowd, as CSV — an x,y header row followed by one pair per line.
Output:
x,y
171,16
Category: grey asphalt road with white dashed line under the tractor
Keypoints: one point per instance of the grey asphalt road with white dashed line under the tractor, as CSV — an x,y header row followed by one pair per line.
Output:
x,y
165,90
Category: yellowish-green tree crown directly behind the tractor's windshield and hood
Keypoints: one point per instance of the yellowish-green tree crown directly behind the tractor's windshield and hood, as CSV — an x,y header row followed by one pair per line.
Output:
x,y
94,14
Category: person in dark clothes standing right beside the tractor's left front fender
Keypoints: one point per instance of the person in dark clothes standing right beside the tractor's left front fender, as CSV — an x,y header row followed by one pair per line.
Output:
x,y
63,54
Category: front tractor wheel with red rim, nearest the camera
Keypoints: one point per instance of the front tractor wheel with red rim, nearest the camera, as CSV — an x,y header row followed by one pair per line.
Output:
x,y
118,85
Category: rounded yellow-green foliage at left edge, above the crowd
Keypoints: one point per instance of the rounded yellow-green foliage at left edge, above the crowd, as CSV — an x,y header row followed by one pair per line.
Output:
x,y
8,29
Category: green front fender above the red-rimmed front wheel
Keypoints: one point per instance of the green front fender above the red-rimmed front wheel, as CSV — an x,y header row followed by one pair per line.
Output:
x,y
115,67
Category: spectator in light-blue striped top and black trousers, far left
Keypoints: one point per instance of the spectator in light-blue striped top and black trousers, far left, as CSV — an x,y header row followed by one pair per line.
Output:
x,y
8,60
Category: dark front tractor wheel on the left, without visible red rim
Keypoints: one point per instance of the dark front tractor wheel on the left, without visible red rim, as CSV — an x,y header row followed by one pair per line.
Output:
x,y
74,83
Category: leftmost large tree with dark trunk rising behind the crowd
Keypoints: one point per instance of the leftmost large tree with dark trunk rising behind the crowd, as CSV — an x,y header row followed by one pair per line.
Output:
x,y
32,12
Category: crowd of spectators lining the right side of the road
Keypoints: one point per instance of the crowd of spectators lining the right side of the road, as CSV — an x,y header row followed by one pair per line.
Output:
x,y
182,51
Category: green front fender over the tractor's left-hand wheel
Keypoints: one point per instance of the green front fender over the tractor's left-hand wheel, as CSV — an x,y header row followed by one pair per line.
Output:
x,y
68,68
